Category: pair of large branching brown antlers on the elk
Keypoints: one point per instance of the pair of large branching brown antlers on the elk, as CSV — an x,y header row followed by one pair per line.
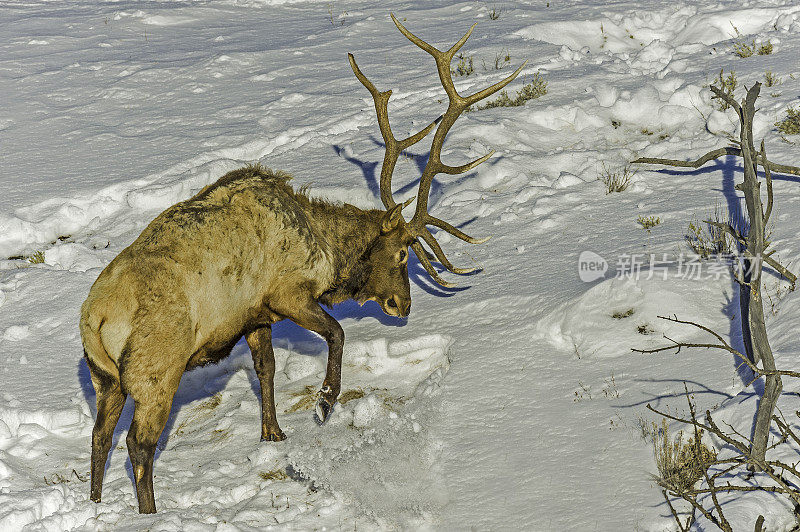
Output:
x,y
457,104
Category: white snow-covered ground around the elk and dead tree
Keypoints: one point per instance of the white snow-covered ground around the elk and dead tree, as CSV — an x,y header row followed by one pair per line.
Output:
x,y
513,401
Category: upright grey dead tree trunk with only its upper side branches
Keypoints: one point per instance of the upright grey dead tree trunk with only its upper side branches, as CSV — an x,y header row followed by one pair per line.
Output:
x,y
754,248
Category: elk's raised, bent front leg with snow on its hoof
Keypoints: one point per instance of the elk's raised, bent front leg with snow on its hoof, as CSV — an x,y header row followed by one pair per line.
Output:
x,y
312,317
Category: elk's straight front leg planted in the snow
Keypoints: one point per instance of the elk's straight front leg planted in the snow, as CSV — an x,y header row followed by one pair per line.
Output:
x,y
260,343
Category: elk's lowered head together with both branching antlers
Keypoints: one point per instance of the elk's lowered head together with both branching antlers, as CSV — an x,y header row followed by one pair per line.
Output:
x,y
388,277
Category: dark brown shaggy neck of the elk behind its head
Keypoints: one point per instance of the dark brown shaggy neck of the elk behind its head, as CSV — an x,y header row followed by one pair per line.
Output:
x,y
349,232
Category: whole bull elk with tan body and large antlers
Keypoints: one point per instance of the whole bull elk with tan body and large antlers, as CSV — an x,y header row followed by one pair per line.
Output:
x,y
244,253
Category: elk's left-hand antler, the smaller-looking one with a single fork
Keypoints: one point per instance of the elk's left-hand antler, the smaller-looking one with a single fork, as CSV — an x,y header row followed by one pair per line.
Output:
x,y
394,147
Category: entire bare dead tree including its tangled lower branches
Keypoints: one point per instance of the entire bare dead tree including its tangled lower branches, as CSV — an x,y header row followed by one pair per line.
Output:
x,y
752,450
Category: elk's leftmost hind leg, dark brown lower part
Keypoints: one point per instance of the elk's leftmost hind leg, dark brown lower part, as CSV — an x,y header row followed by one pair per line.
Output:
x,y
110,401
